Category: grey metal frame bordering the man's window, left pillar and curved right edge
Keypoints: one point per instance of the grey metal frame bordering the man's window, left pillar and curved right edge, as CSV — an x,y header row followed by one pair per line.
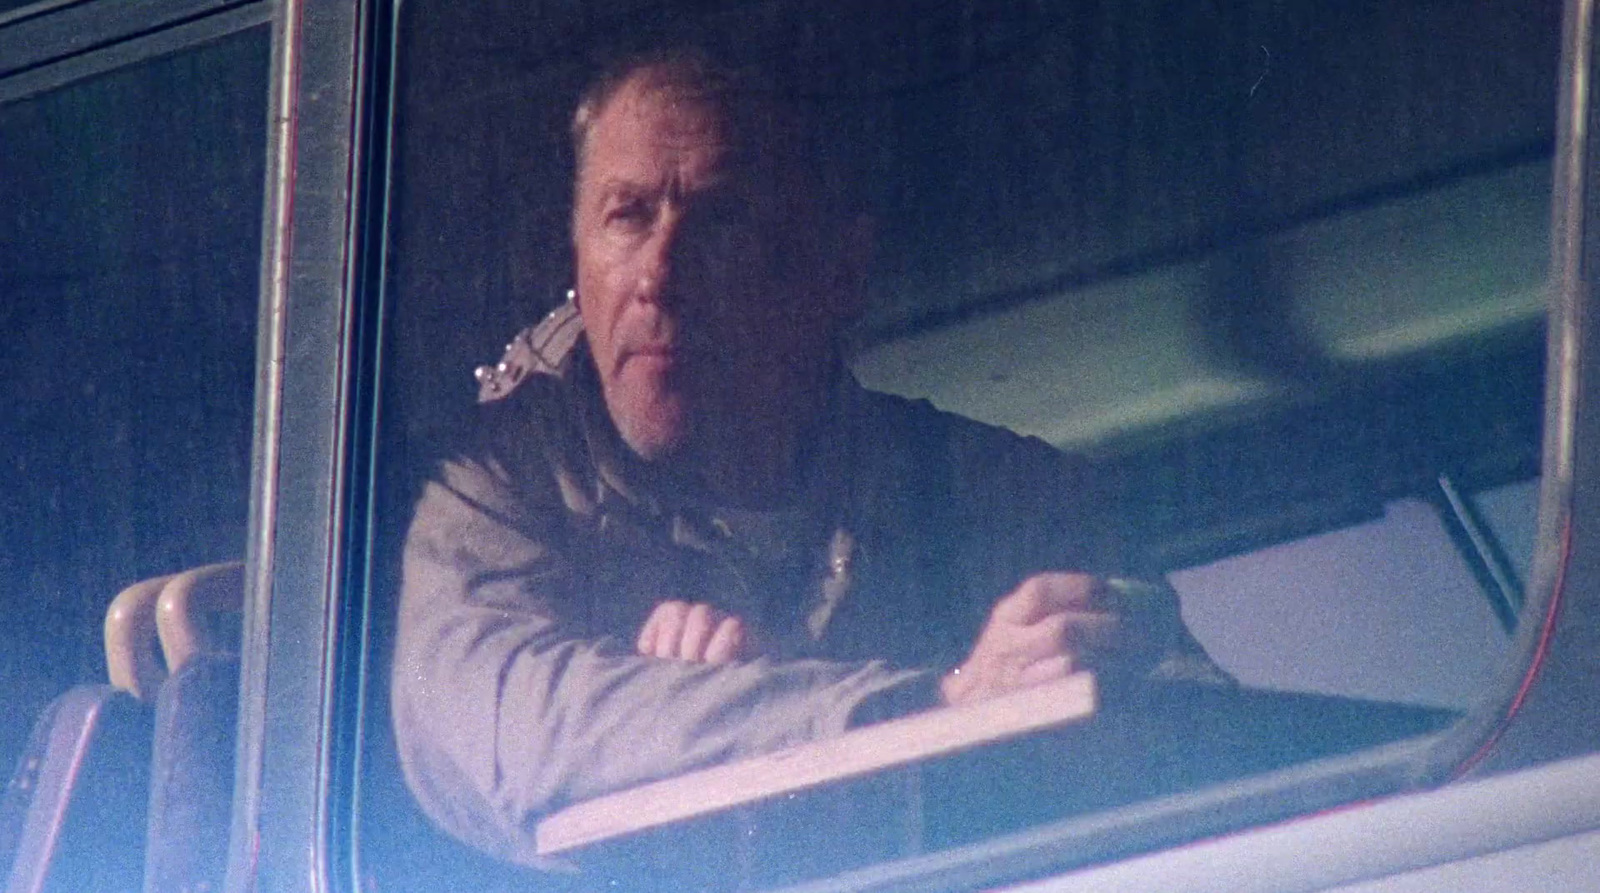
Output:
x,y
305,646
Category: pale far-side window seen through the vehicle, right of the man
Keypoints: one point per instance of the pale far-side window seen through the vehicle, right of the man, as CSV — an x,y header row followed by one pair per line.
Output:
x,y
1380,611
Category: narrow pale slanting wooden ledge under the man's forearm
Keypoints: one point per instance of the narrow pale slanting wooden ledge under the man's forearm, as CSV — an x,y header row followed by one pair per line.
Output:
x,y
857,753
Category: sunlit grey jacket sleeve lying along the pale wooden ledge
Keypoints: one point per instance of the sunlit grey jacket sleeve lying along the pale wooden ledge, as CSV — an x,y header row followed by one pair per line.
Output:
x,y
505,708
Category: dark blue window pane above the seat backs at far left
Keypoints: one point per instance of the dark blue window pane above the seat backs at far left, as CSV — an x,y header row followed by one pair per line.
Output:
x,y
130,217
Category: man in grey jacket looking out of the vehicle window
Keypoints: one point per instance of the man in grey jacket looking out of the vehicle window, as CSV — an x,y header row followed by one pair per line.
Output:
x,y
686,535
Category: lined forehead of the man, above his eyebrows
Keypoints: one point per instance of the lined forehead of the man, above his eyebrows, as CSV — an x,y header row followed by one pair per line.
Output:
x,y
649,127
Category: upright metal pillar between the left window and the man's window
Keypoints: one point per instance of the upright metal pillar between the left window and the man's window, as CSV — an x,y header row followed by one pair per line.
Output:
x,y
318,366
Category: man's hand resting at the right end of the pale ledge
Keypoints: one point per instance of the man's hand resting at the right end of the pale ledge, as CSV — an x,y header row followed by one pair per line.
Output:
x,y
1042,631
